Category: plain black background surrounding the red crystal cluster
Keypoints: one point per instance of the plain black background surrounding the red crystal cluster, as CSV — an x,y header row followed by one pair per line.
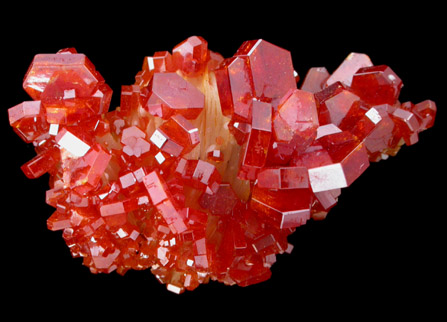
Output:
x,y
379,251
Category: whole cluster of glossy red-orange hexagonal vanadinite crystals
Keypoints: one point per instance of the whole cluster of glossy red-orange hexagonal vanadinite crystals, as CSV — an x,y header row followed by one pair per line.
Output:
x,y
209,163
